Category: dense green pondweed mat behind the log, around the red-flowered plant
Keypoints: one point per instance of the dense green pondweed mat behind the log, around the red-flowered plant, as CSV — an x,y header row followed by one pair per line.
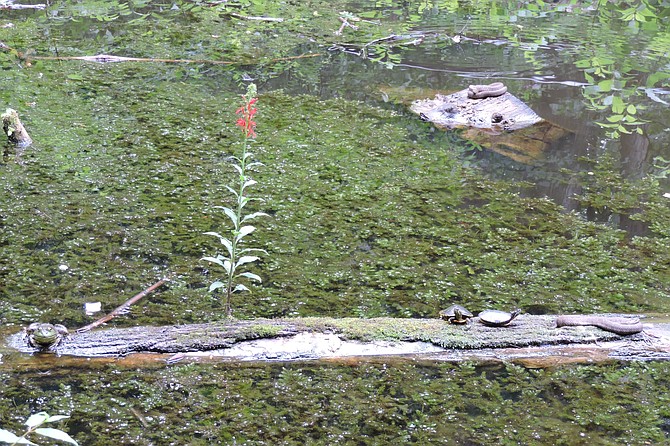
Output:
x,y
366,220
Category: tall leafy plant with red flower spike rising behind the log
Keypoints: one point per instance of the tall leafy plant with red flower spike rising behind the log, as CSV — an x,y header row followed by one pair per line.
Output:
x,y
236,255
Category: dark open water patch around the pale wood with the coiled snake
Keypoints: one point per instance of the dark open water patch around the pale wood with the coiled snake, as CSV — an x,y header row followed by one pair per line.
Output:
x,y
552,85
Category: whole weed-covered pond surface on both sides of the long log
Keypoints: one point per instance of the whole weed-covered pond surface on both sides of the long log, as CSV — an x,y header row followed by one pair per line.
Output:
x,y
372,211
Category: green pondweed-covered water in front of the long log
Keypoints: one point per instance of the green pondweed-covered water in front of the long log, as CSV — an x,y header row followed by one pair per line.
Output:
x,y
371,403
